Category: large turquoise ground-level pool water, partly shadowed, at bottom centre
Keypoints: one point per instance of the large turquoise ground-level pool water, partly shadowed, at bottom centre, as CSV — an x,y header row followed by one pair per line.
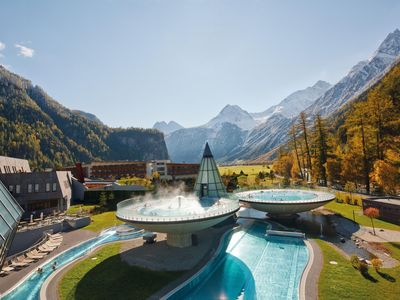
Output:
x,y
251,267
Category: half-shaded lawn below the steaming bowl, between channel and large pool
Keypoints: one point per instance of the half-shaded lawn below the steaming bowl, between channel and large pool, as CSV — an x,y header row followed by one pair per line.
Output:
x,y
107,277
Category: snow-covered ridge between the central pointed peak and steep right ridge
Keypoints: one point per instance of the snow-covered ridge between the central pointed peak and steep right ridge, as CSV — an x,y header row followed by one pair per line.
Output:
x,y
296,102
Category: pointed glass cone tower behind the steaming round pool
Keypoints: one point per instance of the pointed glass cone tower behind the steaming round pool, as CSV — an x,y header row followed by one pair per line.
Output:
x,y
209,182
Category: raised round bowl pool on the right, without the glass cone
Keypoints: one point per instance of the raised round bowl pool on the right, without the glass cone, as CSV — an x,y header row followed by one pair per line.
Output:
x,y
284,202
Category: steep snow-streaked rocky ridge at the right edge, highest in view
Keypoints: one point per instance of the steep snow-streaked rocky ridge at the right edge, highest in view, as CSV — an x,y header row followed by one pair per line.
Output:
x,y
359,77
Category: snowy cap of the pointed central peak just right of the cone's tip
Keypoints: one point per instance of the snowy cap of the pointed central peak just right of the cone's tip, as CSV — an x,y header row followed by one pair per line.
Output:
x,y
232,114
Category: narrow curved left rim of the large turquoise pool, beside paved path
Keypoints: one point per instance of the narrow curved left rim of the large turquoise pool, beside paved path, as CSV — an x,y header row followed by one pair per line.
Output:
x,y
215,255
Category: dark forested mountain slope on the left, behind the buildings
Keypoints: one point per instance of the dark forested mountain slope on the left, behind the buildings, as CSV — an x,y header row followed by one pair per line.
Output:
x,y
36,127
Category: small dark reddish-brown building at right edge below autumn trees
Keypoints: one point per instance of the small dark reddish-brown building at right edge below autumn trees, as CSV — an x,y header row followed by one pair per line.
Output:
x,y
389,207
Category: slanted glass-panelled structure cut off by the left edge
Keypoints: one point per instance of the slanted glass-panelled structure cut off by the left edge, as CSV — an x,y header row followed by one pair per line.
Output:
x,y
10,215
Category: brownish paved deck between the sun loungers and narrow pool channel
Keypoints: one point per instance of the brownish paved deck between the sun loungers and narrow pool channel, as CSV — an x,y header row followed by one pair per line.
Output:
x,y
70,239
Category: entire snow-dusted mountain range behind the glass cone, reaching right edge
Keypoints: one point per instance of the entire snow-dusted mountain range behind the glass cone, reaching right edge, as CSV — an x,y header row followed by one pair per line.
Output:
x,y
235,134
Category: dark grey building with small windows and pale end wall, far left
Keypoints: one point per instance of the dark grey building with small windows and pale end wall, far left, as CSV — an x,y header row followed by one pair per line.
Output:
x,y
39,192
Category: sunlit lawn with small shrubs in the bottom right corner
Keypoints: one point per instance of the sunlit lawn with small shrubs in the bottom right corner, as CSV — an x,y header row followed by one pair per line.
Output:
x,y
342,281
